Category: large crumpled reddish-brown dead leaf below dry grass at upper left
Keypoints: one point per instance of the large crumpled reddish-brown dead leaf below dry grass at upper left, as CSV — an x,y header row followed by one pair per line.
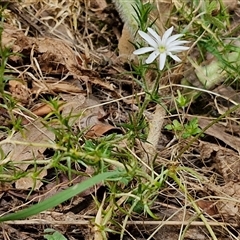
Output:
x,y
53,55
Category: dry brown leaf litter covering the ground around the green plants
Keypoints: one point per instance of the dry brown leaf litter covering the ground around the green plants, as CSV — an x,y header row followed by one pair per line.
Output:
x,y
53,58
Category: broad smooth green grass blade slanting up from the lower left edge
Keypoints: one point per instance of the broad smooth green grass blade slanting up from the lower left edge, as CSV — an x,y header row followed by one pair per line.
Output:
x,y
59,197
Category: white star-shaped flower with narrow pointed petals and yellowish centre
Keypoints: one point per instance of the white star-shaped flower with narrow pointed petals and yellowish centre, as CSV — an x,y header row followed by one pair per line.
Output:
x,y
161,47
